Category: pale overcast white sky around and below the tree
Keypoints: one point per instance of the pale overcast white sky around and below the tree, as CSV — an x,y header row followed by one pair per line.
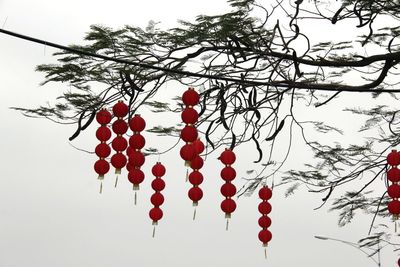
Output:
x,y
50,211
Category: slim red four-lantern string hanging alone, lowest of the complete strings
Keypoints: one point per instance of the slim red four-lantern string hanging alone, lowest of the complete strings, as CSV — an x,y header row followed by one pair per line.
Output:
x,y
264,208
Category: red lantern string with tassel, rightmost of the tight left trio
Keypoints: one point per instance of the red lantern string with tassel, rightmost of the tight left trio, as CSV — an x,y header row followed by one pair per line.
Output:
x,y
136,158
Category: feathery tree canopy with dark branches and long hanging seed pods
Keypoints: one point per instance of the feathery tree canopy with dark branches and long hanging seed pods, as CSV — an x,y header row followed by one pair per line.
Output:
x,y
254,65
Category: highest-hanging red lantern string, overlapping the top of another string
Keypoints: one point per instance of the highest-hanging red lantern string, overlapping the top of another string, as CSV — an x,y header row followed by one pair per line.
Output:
x,y
189,134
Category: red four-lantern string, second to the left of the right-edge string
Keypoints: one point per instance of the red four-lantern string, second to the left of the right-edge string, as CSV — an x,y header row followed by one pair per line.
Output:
x,y
228,189
